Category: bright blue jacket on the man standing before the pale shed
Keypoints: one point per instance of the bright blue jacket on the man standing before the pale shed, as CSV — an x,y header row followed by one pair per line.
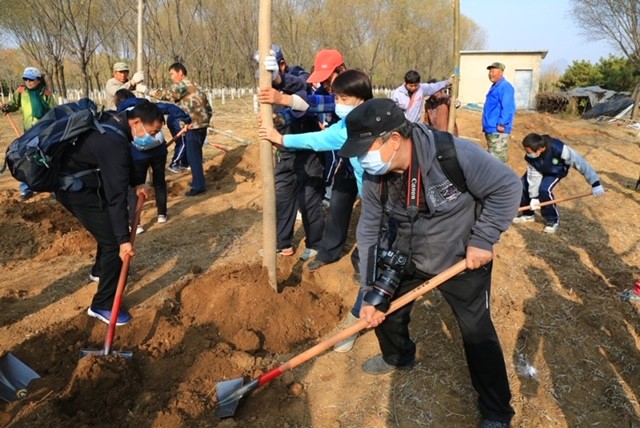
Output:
x,y
499,108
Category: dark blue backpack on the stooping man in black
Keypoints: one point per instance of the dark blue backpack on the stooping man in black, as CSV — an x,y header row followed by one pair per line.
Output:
x,y
35,157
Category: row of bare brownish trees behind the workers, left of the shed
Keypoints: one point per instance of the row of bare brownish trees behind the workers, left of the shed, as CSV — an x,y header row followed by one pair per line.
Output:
x,y
76,41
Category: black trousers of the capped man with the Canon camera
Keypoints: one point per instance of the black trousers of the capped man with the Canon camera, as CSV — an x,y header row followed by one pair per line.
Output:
x,y
468,296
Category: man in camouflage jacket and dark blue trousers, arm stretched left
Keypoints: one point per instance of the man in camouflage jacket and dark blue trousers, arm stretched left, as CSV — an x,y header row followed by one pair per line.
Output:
x,y
192,100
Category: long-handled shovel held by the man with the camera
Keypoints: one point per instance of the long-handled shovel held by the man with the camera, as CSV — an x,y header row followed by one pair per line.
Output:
x,y
229,392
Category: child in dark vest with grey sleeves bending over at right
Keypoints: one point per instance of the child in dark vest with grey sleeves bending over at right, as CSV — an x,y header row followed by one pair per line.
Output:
x,y
548,162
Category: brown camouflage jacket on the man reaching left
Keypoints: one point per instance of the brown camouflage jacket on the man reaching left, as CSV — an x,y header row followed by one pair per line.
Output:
x,y
191,99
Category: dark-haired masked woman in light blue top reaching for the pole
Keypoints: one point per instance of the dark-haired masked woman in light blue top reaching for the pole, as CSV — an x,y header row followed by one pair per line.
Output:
x,y
351,88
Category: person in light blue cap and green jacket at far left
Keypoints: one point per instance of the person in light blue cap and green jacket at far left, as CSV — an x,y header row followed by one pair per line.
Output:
x,y
35,100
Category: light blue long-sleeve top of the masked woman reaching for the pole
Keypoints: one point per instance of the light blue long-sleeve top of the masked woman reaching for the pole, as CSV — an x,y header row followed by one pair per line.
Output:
x,y
331,138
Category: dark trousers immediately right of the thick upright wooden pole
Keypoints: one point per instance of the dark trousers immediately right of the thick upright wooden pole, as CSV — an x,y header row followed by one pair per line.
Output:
x,y
299,185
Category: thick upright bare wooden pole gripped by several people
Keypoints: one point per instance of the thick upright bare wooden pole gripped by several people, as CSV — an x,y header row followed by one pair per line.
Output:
x,y
266,152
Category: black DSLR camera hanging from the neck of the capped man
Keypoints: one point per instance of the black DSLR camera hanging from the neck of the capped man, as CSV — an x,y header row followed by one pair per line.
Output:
x,y
393,266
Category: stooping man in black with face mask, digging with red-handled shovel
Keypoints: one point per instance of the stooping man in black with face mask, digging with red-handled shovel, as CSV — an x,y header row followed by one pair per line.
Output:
x,y
102,163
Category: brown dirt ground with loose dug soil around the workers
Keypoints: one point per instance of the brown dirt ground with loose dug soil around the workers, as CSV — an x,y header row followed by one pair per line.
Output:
x,y
204,311
